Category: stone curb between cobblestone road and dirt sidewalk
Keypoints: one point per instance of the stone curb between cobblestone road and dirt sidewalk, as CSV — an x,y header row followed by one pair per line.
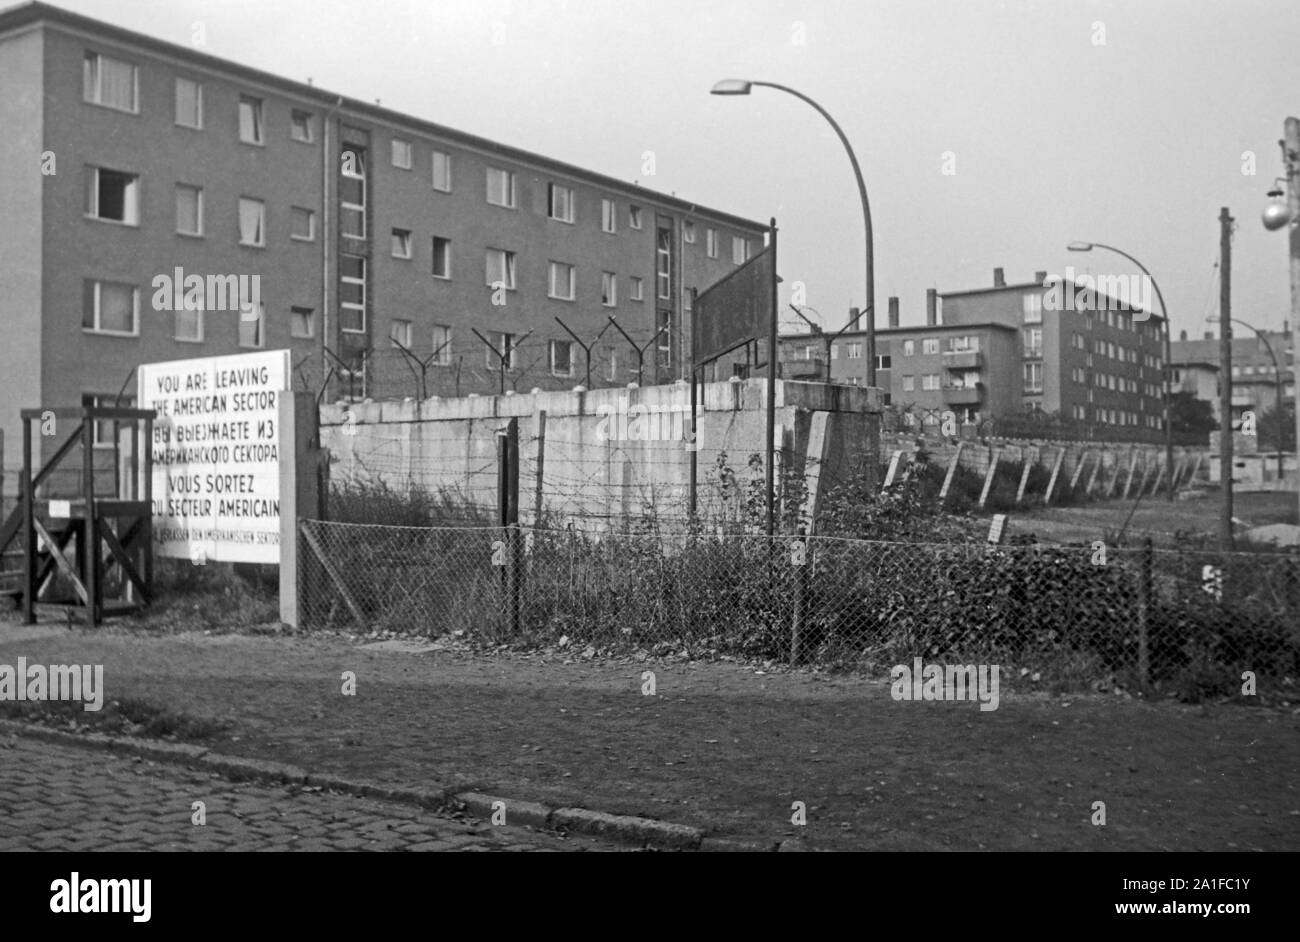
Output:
x,y
645,832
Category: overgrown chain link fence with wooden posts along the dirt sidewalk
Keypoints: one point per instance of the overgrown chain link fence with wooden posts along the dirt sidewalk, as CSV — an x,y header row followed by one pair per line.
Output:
x,y
1071,618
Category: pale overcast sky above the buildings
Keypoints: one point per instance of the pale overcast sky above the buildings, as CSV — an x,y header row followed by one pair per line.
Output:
x,y
1058,137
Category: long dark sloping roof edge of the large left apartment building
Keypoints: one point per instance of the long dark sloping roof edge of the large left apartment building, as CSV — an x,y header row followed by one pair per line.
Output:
x,y
40,14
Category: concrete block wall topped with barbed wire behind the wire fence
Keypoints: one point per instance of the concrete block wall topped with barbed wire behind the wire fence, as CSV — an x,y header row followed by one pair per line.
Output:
x,y
606,455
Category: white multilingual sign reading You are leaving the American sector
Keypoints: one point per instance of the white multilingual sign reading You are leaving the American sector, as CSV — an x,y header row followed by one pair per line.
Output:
x,y
216,455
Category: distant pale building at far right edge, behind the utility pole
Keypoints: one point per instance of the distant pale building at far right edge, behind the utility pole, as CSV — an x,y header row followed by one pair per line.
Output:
x,y
1255,377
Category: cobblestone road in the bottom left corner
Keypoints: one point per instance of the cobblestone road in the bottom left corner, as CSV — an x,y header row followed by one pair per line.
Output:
x,y
63,798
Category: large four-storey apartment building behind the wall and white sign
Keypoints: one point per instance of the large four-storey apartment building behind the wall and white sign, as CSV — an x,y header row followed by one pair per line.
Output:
x,y
129,158
